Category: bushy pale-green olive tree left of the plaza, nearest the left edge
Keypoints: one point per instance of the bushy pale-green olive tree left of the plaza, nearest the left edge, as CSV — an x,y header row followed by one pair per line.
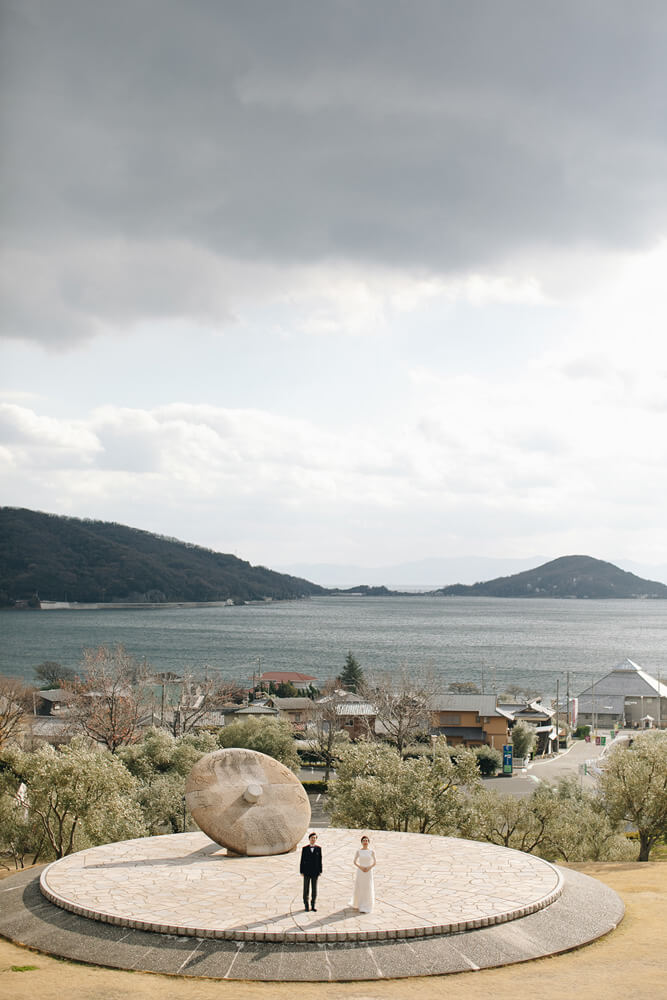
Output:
x,y
78,795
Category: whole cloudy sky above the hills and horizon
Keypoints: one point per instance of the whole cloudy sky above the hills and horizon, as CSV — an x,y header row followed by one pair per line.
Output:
x,y
359,282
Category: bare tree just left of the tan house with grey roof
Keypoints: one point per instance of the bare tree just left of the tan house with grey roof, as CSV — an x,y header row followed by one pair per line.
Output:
x,y
401,701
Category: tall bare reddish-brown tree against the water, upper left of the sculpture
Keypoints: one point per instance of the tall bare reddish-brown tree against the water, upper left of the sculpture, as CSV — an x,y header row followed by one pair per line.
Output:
x,y
113,698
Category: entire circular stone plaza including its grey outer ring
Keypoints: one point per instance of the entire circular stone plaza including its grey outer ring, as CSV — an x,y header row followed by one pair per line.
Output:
x,y
182,905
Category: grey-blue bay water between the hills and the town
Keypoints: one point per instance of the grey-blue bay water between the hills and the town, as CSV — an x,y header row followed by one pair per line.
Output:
x,y
494,641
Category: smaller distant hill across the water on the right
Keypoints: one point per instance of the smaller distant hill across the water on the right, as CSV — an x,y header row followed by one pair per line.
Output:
x,y
569,576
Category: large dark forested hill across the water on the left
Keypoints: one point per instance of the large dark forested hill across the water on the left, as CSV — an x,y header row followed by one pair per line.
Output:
x,y
67,559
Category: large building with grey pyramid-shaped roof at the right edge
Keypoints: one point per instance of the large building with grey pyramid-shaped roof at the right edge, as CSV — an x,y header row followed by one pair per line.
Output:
x,y
626,696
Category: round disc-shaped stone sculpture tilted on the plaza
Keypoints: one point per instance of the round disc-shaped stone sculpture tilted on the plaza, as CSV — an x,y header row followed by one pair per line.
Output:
x,y
247,802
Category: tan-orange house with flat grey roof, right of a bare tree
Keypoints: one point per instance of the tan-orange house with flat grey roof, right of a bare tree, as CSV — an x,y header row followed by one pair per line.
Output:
x,y
469,720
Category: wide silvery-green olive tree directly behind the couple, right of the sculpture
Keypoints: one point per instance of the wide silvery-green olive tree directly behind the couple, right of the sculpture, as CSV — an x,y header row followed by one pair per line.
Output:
x,y
377,788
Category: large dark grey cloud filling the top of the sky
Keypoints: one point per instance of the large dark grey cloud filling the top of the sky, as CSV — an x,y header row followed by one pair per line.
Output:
x,y
434,136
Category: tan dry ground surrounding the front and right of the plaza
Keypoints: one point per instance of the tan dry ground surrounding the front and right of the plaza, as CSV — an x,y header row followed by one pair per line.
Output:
x,y
629,963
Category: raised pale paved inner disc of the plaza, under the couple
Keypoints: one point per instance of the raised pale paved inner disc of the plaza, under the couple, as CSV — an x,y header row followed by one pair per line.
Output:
x,y
185,884
